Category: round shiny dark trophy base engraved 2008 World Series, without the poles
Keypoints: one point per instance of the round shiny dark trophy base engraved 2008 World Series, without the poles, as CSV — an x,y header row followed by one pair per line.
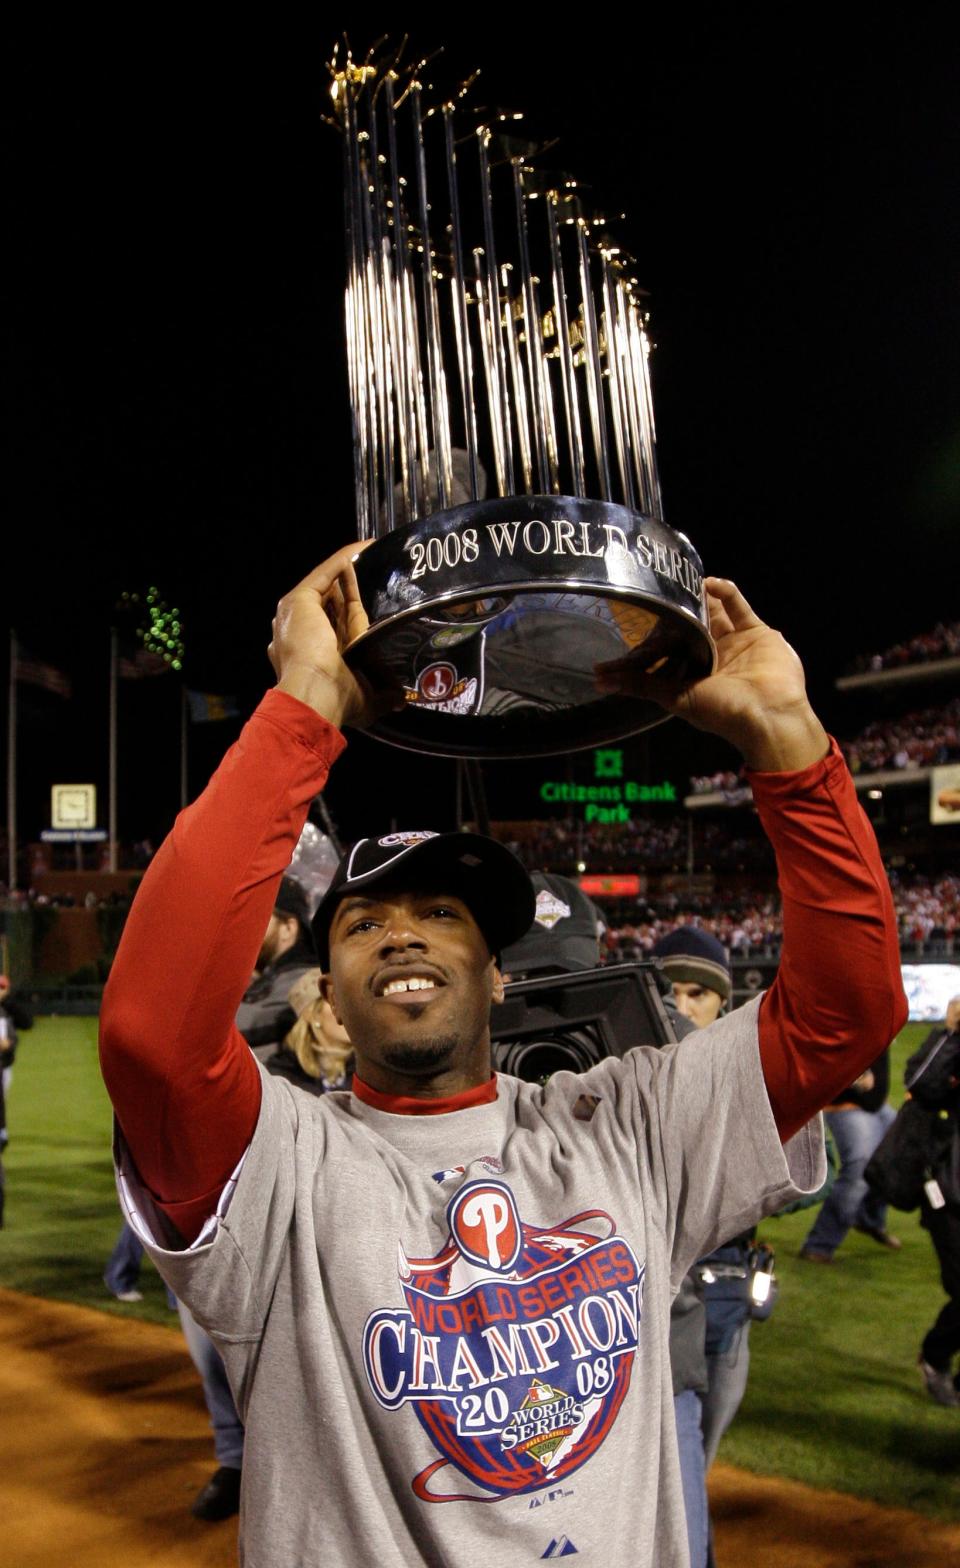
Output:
x,y
493,619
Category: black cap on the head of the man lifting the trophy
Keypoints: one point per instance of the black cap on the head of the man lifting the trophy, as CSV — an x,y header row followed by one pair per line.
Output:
x,y
485,874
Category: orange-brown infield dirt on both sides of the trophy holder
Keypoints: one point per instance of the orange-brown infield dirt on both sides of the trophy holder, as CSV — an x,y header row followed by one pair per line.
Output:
x,y
104,1443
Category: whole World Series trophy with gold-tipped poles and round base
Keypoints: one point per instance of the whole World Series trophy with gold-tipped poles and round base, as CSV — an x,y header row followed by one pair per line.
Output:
x,y
504,437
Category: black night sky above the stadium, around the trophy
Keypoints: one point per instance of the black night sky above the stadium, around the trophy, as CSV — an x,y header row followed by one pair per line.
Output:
x,y
176,385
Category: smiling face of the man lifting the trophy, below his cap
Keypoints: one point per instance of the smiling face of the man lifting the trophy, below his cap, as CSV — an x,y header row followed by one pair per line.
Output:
x,y
412,979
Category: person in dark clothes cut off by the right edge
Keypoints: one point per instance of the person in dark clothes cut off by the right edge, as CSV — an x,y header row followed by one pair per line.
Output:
x,y
933,1078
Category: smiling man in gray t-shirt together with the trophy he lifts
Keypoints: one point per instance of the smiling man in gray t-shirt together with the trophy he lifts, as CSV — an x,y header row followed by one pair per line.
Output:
x,y
443,1298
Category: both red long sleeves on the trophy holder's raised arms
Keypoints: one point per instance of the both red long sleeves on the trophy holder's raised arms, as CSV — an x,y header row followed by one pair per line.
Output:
x,y
184,1084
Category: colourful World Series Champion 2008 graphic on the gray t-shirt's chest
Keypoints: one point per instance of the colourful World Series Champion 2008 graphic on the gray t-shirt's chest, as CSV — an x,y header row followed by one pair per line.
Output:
x,y
515,1345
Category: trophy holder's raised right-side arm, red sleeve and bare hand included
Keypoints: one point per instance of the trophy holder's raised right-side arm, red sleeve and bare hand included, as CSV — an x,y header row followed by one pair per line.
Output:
x,y
838,998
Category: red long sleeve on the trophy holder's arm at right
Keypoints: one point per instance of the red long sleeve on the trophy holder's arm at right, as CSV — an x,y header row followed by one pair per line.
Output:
x,y
838,998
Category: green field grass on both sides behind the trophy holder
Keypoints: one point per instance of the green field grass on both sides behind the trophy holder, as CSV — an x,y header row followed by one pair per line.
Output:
x,y
834,1398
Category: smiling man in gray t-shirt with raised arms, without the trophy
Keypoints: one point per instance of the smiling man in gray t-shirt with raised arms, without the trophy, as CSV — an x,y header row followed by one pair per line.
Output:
x,y
443,1298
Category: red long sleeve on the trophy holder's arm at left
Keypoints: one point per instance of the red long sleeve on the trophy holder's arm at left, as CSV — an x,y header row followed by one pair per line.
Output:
x,y
183,1081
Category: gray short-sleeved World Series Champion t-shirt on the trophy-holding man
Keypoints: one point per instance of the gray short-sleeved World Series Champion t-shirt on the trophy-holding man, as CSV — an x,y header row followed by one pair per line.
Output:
x,y
448,1335
